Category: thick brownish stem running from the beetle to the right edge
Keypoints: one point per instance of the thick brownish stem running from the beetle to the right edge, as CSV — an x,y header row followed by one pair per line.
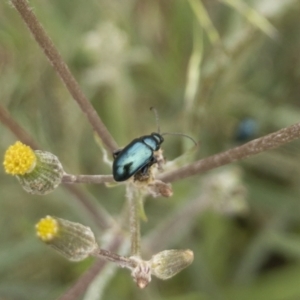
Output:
x,y
256,146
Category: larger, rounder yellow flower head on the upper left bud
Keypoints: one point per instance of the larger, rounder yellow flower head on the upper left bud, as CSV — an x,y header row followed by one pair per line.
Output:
x,y
19,159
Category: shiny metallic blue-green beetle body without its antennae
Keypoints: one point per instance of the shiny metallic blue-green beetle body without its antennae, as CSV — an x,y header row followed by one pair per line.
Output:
x,y
136,156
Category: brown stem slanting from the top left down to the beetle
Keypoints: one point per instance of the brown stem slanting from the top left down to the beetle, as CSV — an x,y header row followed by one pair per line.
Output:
x,y
63,71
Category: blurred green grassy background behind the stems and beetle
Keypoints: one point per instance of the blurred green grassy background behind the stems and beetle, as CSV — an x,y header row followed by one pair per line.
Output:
x,y
223,72
